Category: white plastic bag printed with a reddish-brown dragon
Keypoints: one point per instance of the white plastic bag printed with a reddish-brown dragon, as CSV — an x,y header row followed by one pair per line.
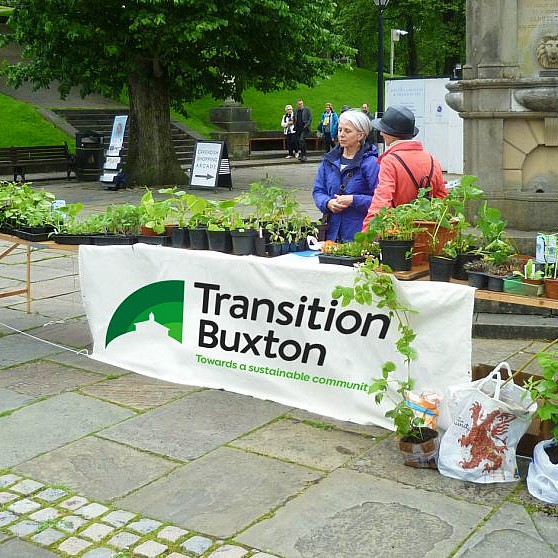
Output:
x,y
487,421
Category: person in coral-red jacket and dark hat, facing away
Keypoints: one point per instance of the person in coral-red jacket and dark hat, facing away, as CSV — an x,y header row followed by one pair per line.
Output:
x,y
404,164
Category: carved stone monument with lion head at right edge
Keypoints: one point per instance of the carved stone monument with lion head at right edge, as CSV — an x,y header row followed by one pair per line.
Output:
x,y
508,99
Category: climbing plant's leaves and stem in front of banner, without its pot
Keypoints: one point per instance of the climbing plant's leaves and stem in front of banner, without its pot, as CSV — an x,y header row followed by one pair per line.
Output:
x,y
373,286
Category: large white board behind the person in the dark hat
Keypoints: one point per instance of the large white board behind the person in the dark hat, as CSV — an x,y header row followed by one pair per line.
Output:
x,y
440,127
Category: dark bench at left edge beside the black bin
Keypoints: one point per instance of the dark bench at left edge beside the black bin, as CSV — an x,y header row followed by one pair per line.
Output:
x,y
42,158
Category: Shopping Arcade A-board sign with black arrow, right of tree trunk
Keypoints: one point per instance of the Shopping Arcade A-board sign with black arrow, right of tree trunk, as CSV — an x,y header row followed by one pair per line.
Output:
x,y
210,165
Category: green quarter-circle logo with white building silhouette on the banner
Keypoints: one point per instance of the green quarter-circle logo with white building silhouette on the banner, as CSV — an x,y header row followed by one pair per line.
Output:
x,y
165,300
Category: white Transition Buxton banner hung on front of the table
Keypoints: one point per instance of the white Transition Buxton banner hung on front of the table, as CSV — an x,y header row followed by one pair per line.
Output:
x,y
268,328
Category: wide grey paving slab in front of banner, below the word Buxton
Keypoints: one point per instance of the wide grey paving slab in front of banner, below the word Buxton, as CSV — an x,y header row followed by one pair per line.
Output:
x,y
195,424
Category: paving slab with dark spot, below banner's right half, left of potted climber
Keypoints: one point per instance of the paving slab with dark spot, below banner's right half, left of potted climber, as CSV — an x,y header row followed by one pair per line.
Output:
x,y
305,445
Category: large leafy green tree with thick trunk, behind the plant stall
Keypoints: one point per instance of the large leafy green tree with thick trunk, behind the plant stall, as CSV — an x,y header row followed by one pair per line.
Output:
x,y
167,52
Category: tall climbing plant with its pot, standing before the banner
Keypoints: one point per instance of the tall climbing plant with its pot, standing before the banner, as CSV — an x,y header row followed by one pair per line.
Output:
x,y
373,286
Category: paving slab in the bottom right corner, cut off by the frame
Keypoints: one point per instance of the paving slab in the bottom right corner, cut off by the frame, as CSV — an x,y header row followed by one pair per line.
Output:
x,y
510,527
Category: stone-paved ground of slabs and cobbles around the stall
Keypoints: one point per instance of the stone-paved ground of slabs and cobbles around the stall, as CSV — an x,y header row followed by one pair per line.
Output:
x,y
99,462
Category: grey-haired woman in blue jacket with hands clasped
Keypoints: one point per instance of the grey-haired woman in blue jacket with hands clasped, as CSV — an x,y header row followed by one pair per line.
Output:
x,y
347,178
